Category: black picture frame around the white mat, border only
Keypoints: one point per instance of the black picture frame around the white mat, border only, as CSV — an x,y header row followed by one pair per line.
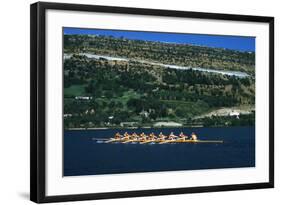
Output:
x,y
38,101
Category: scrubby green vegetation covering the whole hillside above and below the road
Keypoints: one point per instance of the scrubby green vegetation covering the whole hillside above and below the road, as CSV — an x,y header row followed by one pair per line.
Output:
x,y
119,93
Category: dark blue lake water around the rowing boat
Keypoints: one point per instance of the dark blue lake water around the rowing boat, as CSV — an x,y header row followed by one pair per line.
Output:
x,y
84,156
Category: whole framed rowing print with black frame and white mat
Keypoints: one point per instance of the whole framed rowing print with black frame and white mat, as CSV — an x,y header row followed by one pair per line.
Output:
x,y
129,102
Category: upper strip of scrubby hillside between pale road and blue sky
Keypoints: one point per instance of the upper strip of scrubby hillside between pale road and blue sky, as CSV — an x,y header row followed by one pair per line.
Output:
x,y
169,53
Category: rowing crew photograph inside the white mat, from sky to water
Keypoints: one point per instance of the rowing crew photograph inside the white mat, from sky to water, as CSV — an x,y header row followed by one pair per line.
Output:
x,y
147,101
